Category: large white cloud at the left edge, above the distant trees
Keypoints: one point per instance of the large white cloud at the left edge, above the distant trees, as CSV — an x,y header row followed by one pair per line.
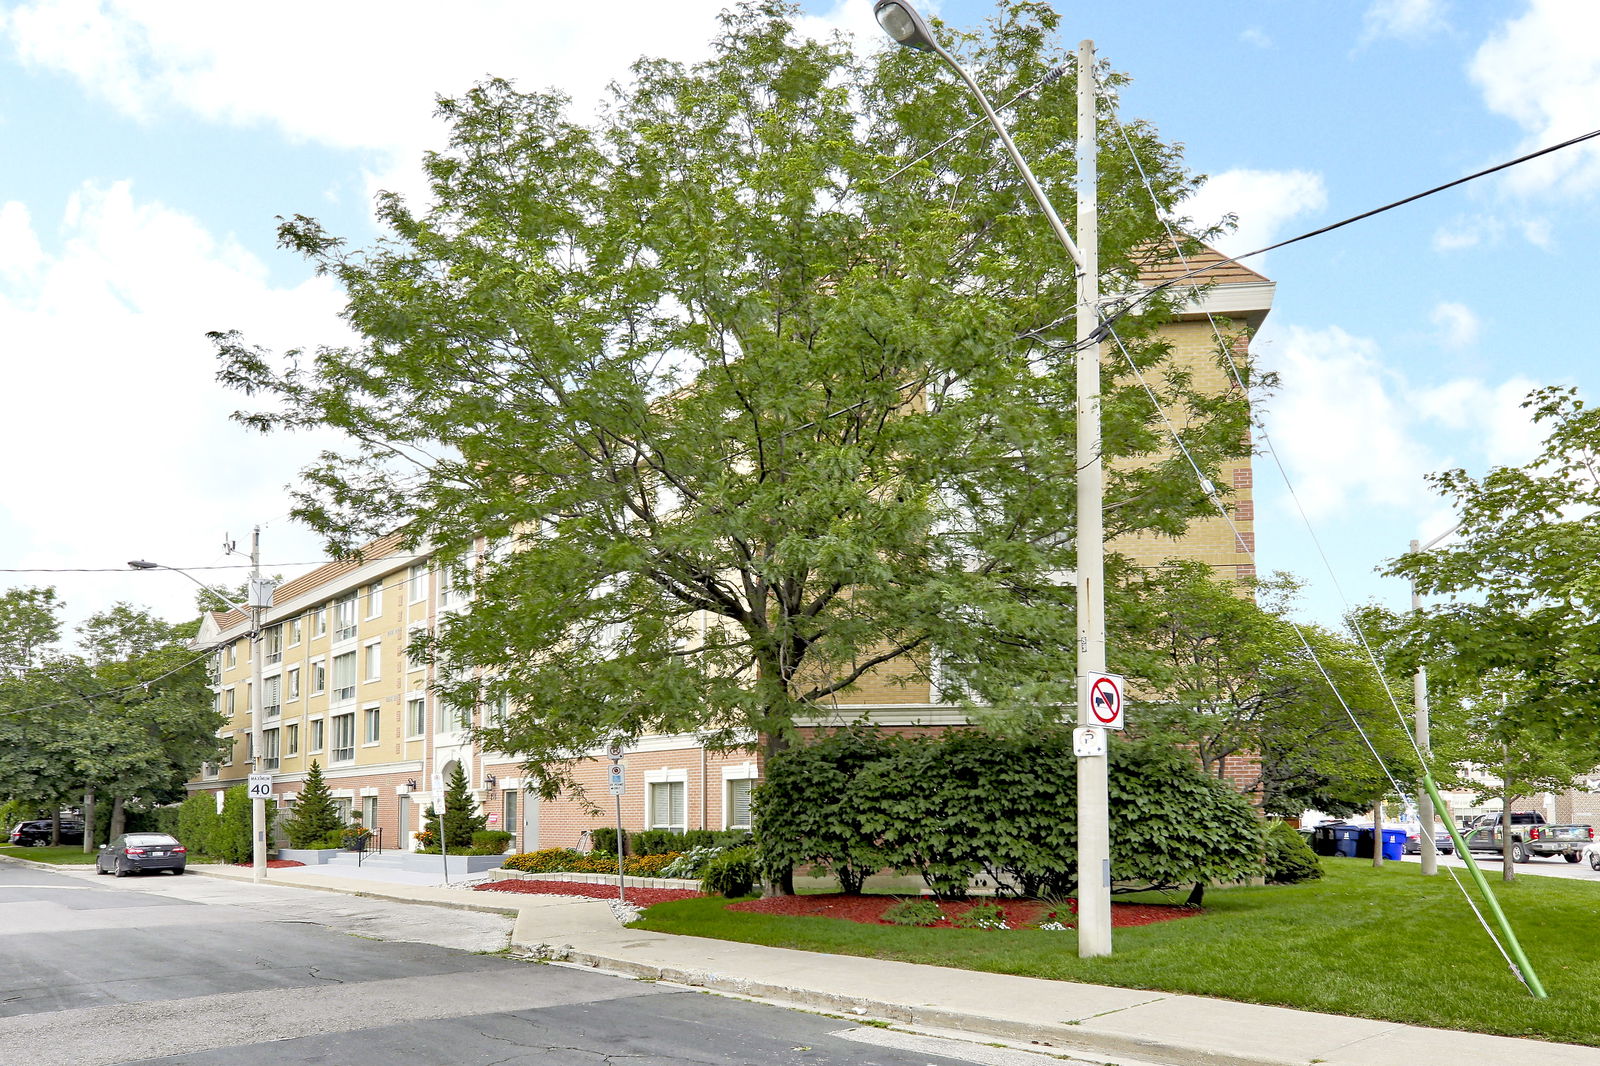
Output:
x,y
121,439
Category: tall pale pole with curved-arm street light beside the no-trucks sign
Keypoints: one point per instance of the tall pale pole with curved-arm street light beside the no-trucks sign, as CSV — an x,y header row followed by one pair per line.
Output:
x,y
900,22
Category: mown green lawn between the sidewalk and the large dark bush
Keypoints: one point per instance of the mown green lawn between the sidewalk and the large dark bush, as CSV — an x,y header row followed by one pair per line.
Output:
x,y
1375,944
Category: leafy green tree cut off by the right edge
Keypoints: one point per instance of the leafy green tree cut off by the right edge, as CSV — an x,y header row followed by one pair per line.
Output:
x,y
1521,585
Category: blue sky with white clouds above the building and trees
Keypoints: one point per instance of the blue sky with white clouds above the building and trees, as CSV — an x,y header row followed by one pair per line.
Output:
x,y
150,150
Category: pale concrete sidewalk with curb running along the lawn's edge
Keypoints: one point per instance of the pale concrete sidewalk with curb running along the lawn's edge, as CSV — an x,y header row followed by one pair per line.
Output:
x,y
1062,1017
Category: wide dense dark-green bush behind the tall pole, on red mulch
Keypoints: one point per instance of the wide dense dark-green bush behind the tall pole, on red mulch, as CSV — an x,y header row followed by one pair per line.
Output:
x,y
969,804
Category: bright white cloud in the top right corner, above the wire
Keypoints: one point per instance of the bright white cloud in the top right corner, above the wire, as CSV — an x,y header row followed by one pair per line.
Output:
x,y
1543,71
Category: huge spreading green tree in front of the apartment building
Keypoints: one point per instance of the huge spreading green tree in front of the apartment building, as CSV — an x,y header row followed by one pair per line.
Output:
x,y
745,414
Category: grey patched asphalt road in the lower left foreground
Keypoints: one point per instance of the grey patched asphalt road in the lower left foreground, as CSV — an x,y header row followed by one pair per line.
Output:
x,y
204,972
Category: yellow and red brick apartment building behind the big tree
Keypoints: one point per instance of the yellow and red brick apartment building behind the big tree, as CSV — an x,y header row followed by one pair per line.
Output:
x,y
340,689
